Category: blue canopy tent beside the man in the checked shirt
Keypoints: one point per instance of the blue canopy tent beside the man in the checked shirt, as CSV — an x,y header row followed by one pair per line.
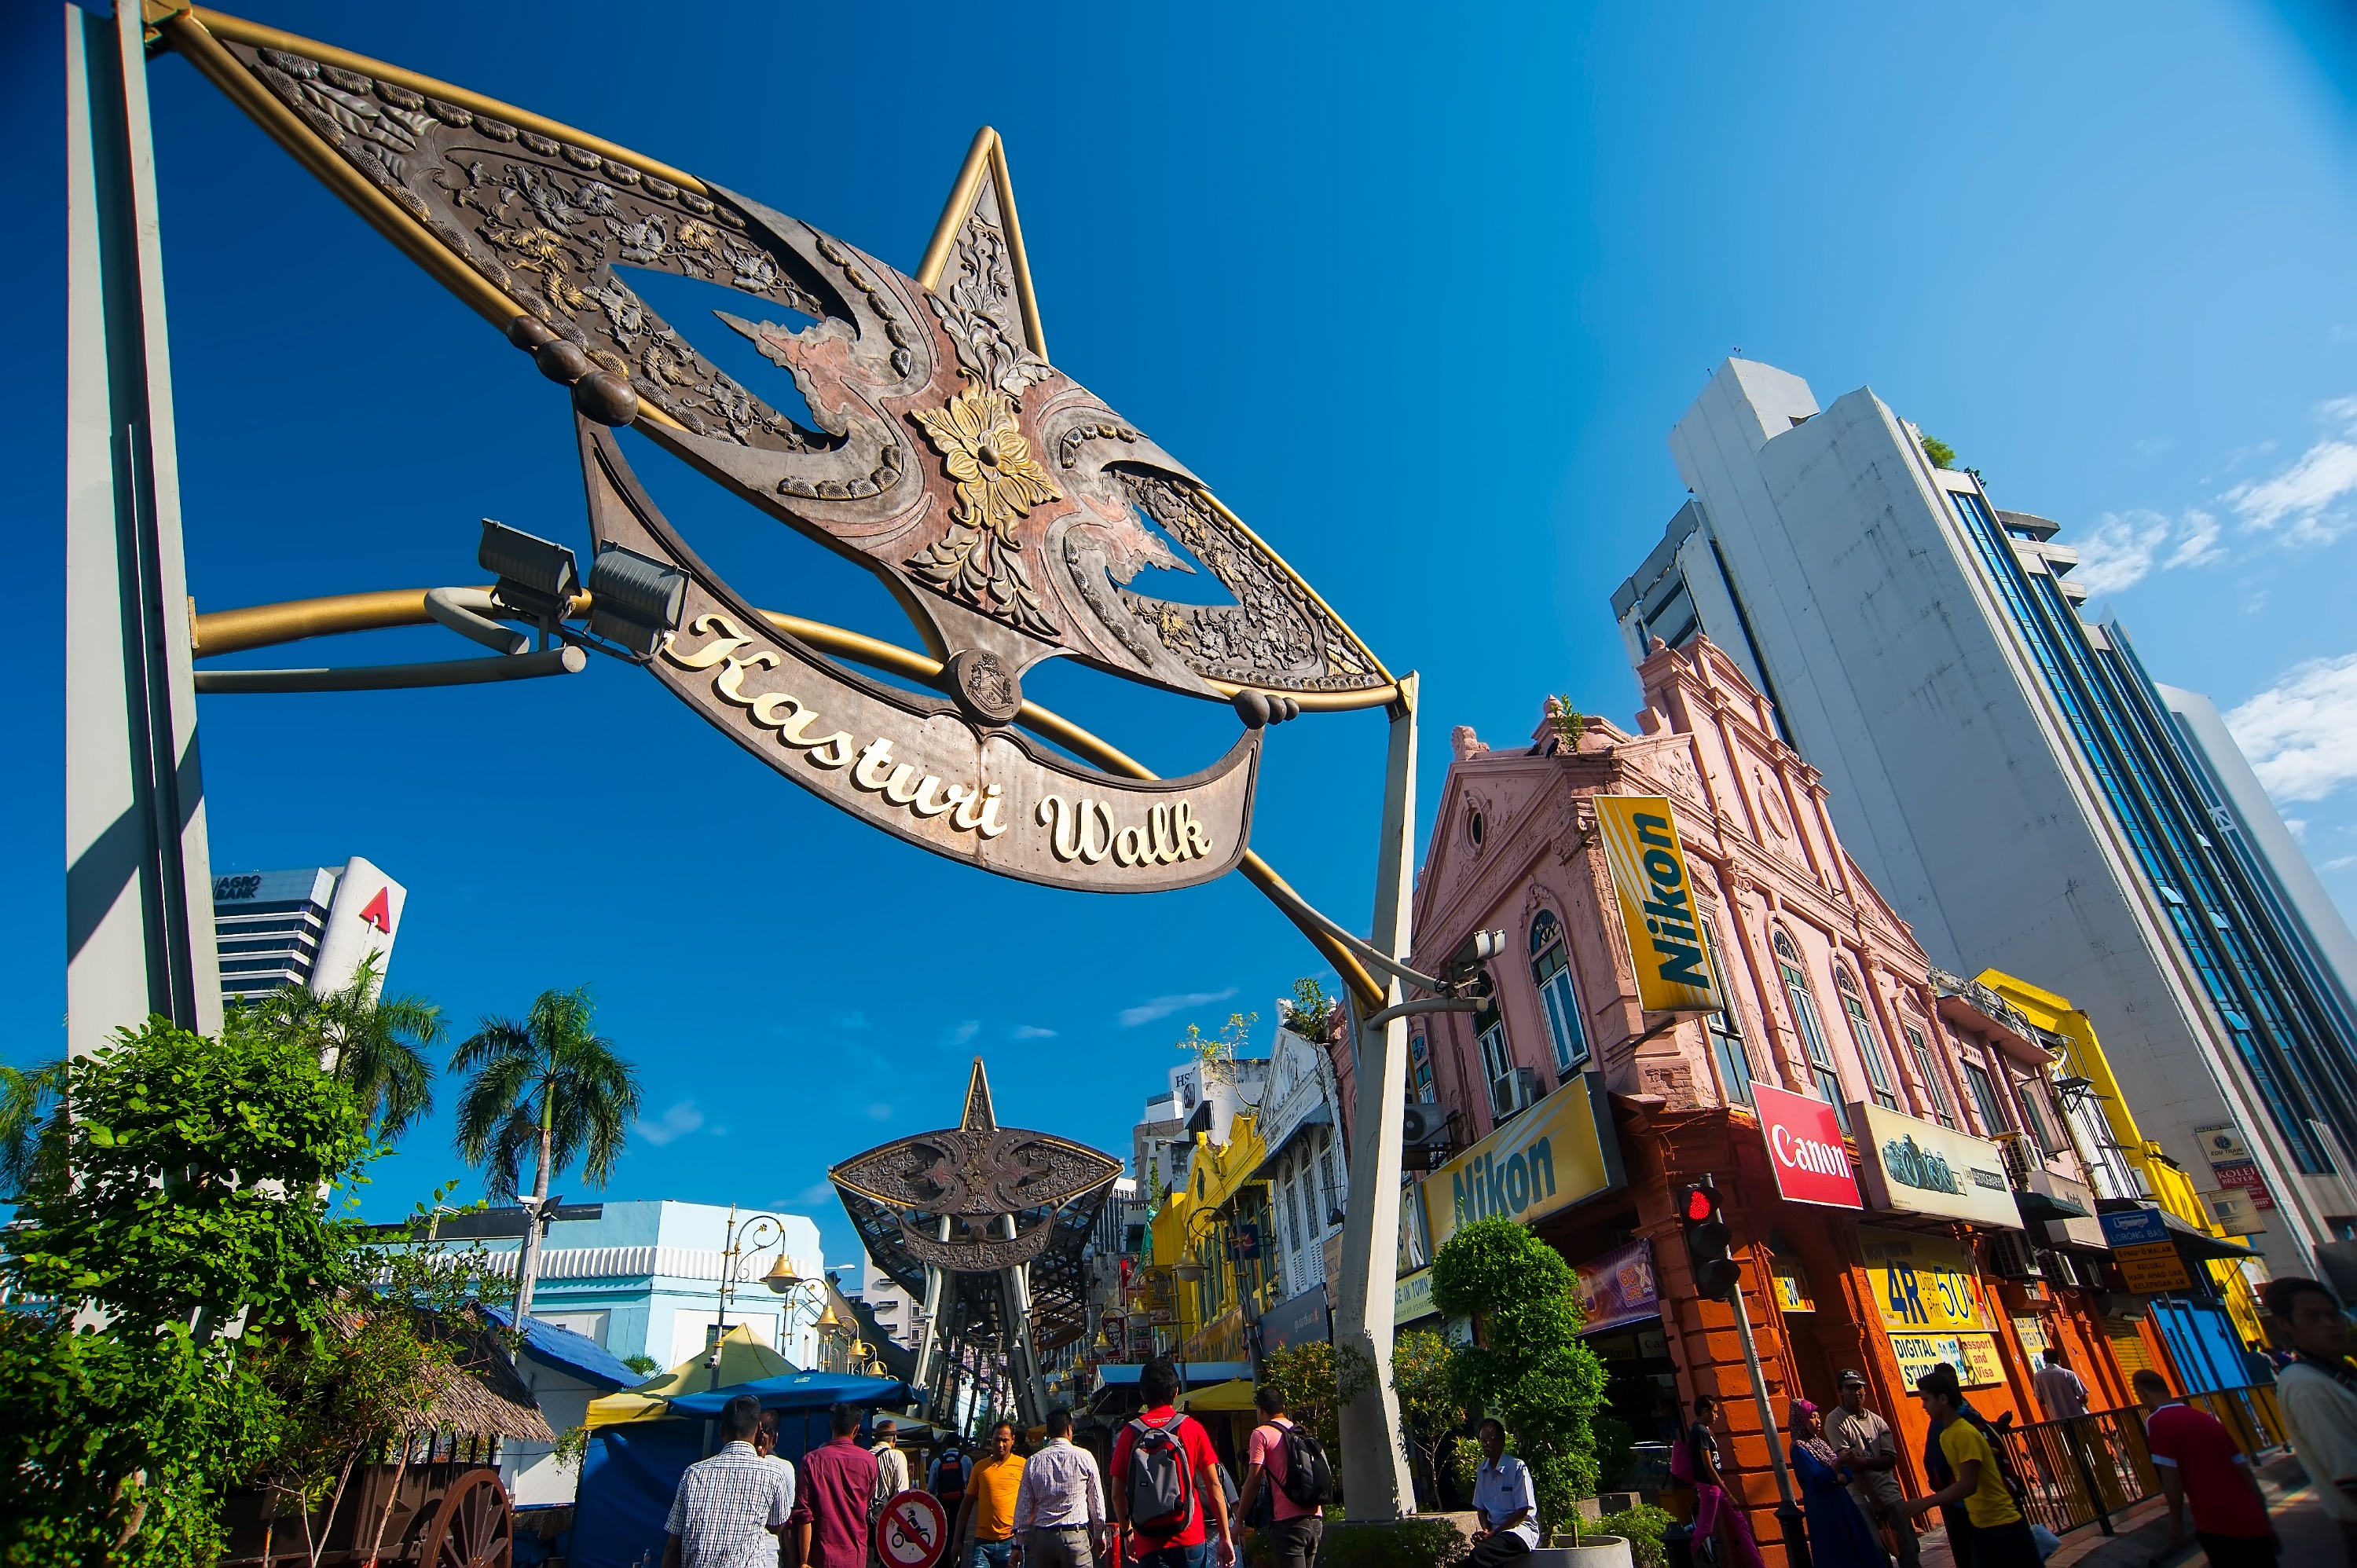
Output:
x,y
633,1470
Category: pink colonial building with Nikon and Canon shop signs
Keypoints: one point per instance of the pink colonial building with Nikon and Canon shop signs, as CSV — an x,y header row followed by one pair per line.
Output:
x,y
1580,1114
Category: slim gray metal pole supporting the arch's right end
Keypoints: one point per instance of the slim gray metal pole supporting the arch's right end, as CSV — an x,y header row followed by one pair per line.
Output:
x,y
1375,1475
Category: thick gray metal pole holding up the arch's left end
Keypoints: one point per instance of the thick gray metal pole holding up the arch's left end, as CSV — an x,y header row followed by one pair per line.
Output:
x,y
138,871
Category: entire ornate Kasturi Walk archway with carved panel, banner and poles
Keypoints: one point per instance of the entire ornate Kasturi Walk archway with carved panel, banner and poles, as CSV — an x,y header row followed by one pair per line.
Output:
x,y
996,496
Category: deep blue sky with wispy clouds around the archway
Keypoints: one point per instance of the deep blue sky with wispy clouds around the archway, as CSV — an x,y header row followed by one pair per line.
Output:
x,y
1418,291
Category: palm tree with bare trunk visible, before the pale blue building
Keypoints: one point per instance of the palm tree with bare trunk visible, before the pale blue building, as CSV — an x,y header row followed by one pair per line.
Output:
x,y
548,1086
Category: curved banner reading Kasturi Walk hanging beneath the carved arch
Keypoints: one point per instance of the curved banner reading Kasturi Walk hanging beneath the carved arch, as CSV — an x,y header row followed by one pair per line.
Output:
x,y
911,765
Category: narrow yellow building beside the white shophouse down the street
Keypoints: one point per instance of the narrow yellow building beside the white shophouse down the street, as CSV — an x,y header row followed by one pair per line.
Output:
x,y
1215,1237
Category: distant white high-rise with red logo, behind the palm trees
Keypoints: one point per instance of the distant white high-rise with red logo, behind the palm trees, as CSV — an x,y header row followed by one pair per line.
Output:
x,y
303,928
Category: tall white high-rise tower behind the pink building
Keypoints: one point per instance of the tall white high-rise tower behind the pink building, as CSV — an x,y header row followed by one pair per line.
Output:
x,y
2014,779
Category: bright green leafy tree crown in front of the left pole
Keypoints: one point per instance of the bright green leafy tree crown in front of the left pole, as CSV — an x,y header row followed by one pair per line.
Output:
x,y
194,1192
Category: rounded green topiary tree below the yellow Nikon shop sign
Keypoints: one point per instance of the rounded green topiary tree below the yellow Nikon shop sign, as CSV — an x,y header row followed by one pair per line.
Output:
x,y
1531,1366
